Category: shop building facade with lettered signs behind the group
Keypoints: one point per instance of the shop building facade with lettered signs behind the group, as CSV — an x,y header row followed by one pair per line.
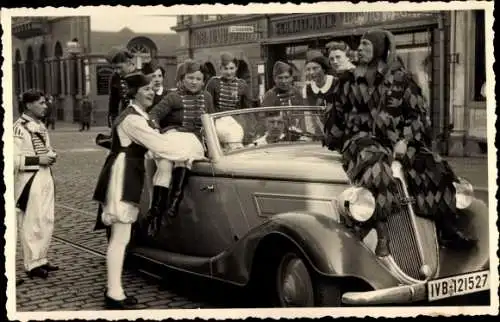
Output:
x,y
258,41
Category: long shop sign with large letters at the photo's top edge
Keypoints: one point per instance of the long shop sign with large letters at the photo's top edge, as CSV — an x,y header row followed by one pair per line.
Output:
x,y
313,23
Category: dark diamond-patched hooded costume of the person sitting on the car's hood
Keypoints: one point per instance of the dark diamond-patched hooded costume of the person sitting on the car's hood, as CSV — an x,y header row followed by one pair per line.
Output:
x,y
373,111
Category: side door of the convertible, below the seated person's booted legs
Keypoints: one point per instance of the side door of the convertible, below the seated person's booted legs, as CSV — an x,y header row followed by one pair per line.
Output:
x,y
204,224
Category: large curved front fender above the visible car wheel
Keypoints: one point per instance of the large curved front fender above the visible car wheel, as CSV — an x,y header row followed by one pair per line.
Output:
x,y
329,247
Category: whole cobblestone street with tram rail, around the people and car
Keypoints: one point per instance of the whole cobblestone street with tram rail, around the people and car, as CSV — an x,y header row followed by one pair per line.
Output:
x,y
80,283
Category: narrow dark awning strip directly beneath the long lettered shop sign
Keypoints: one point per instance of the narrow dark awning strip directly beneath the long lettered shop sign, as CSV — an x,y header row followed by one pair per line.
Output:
x,y
395,27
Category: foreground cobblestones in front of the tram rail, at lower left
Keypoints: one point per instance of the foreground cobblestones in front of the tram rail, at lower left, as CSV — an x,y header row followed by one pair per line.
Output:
x,y
80,283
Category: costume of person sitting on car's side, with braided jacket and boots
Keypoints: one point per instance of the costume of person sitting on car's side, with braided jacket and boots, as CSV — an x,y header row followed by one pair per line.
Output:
x,y
178,116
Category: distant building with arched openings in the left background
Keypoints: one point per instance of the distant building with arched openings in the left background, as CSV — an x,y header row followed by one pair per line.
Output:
x,y
64,57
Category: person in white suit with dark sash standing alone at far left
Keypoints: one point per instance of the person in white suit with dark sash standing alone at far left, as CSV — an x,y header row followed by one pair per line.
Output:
x,y
34,184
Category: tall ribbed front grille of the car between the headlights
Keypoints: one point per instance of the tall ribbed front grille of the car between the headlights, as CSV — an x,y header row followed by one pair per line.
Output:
x,y
412,240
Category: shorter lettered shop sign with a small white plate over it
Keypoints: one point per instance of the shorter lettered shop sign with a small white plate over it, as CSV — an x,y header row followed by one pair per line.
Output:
x,y
224,35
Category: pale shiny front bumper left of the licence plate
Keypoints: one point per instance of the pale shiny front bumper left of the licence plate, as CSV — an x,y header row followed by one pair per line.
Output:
x,y
394,295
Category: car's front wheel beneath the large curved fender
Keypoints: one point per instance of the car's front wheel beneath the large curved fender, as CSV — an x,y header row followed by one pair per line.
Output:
x,y
297,287
